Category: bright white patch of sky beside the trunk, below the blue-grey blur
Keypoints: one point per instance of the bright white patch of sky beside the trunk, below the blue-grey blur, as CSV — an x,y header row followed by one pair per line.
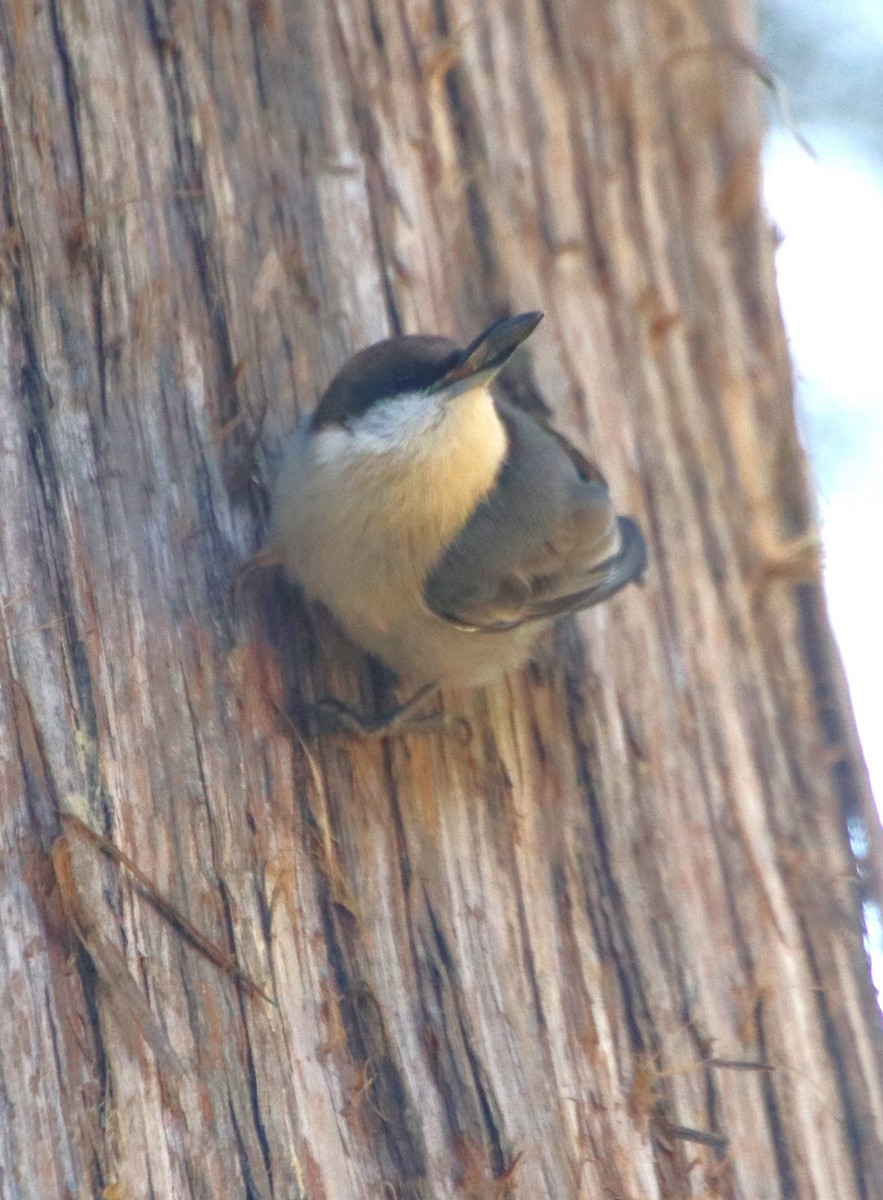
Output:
x,y
831,284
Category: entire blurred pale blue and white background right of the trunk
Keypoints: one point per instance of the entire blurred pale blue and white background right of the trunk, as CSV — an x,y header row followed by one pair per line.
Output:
x,y
828,56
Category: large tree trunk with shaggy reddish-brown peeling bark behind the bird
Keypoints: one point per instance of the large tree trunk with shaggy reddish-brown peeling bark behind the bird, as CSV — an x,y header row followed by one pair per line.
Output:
x,y
611,946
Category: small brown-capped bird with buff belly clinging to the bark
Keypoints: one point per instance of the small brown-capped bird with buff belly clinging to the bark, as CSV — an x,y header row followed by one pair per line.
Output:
x,y
443,529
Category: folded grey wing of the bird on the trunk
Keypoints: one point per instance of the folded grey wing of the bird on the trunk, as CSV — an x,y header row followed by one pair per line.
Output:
x,y
544,543
